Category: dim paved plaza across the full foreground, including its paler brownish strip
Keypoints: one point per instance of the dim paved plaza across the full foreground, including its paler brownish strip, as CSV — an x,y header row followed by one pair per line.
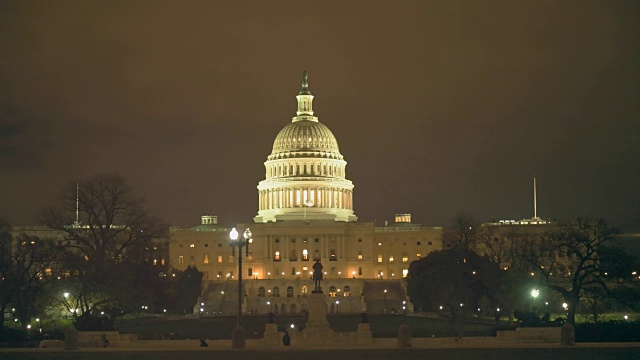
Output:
x,y
472,348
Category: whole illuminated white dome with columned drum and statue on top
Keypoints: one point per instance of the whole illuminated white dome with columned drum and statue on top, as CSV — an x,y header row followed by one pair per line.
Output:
x,y
305,173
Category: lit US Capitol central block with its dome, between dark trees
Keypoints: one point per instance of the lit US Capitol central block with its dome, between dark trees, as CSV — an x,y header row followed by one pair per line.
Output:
x,y
305,213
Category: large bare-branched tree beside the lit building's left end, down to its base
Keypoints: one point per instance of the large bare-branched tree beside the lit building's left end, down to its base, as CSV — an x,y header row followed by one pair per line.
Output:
x,y
109,238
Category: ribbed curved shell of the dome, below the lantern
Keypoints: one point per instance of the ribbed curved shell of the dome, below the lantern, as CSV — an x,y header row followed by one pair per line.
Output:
x,y
305,135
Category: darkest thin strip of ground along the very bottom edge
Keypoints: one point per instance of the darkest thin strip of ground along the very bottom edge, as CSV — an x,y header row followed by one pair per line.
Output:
x,y
536,353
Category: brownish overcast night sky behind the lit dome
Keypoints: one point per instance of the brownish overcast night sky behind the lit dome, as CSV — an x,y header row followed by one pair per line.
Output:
x,y
439,107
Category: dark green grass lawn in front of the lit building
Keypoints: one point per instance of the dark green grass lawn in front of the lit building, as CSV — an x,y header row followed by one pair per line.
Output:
x,y
220,327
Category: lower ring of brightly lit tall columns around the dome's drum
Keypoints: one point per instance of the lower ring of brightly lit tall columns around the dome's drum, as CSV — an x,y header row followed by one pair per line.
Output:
x,y
296,197
